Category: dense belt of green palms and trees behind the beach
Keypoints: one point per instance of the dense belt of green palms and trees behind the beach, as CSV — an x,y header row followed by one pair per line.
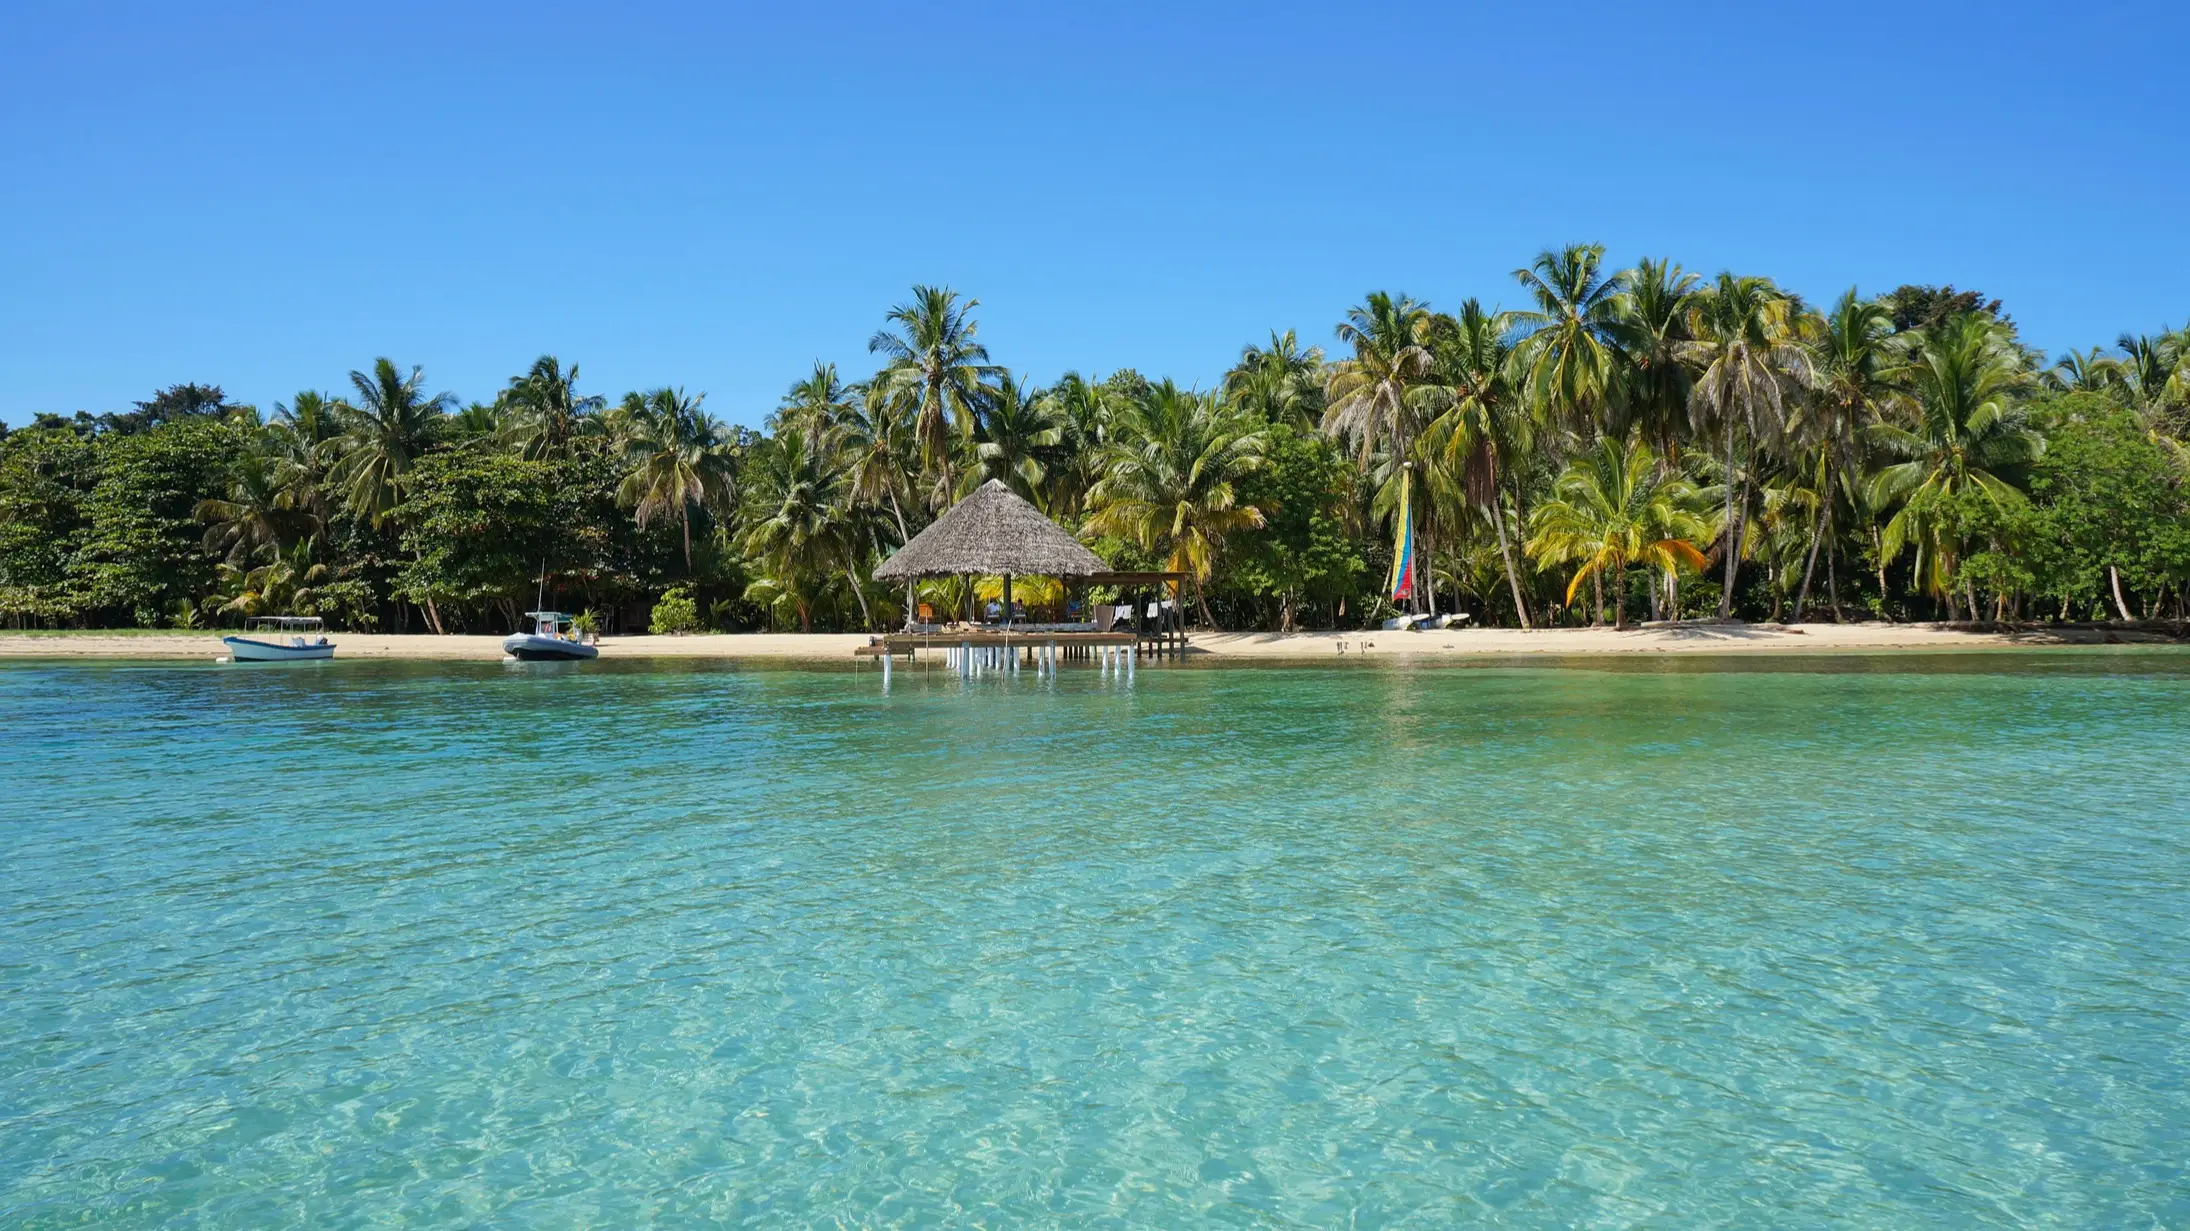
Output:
x,y
1626,444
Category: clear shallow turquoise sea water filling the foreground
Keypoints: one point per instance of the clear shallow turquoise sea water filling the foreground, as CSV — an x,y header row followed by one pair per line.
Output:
x,y
1854,943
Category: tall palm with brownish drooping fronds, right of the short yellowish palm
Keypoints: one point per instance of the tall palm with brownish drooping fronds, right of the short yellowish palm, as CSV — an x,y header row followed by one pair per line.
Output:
x,y
1749,349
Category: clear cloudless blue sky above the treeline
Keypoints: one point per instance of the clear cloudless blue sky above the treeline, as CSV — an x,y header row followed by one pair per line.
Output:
x,y
266,198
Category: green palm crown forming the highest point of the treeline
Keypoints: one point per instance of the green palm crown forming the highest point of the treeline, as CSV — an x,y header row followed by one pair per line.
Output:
x,y
1571,354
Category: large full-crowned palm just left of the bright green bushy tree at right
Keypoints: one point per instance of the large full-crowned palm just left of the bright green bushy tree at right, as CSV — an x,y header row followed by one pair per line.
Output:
x,y
1968,437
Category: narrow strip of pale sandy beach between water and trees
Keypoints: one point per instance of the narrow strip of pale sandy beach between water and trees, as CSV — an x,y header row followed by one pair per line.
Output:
x,y
1203,647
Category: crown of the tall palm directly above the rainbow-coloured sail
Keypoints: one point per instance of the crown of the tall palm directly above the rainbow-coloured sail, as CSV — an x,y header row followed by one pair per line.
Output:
x,y
1372,398
